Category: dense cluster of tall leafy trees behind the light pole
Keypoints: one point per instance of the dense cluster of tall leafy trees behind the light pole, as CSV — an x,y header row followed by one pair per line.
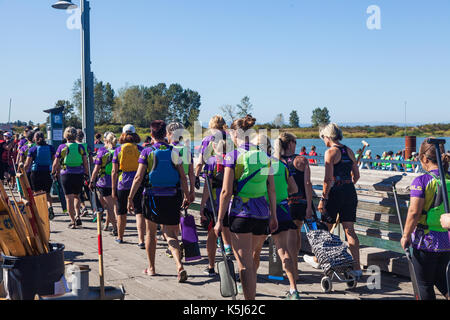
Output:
x,y
137,104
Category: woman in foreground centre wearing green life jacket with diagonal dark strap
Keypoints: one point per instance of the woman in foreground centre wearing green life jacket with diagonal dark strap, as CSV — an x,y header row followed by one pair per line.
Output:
x,y
250,214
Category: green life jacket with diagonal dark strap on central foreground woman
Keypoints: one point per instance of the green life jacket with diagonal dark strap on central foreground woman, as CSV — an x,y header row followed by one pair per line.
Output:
x,y
250,182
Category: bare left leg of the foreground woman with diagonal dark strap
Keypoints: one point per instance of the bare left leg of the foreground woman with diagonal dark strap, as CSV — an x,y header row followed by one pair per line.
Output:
x,y
242,244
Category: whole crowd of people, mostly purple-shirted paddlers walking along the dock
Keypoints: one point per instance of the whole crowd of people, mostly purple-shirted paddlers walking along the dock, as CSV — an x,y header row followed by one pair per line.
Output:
x,y
259,188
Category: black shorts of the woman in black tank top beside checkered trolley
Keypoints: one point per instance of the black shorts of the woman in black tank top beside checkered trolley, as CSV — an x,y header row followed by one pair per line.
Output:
x,y
343,200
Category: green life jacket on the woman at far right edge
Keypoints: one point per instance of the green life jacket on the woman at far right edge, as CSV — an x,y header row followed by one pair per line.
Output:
x,y
431,218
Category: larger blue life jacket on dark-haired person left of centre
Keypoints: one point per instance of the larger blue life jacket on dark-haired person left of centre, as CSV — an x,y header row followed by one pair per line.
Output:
x,y
163,172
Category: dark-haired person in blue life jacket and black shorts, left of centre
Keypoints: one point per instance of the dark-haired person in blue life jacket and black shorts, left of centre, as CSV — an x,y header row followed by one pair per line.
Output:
x,y
163,195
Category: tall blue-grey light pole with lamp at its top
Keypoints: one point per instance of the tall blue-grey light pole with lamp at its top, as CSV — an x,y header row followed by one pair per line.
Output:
x,y
87,77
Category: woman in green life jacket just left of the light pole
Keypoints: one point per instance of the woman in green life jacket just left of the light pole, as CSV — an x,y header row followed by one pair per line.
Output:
x,y
71,164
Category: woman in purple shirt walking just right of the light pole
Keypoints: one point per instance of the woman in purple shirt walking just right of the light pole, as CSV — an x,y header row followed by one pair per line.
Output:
x,y
101,179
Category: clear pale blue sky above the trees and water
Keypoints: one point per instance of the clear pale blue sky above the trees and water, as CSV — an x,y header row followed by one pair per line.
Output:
x,y
283,54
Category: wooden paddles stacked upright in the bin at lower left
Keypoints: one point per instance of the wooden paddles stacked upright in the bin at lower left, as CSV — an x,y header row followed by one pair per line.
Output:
x,y
22,232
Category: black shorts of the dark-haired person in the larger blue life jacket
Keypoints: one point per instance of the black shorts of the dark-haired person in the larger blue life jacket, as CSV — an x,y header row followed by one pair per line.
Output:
x,y
163,210
